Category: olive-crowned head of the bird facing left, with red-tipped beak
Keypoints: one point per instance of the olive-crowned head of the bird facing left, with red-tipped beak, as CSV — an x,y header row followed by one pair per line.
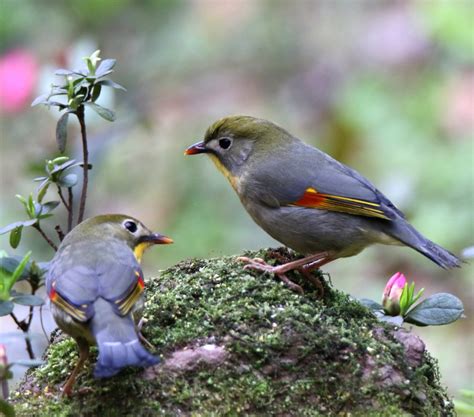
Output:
x,y
232,141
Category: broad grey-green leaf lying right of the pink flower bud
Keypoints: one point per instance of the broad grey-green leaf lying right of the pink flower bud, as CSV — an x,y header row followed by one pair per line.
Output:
x,y
439,309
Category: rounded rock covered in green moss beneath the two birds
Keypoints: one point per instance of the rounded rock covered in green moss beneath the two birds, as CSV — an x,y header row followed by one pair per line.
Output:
x,y
239,343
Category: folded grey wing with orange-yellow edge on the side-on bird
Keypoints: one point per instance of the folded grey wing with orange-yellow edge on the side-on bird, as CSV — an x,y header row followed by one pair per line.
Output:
x,y
310,178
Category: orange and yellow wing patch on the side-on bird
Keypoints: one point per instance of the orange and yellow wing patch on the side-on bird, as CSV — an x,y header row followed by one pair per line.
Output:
x,y
314,199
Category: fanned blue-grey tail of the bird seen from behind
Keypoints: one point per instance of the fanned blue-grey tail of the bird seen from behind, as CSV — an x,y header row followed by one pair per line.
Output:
x,y
118,342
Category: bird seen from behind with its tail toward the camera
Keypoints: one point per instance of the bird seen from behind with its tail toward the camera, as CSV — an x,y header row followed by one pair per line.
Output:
x,y
95,286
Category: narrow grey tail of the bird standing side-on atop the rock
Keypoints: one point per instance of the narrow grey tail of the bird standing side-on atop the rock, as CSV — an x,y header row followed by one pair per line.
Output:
x,y
407,234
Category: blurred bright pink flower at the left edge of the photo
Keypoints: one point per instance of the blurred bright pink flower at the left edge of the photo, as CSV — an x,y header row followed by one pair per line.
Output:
x,y
18,75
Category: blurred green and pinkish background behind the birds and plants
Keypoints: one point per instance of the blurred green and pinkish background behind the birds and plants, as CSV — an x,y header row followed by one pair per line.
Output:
x,y
386,87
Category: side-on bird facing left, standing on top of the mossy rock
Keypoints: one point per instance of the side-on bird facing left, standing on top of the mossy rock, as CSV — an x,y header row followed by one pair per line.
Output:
x,y
304,198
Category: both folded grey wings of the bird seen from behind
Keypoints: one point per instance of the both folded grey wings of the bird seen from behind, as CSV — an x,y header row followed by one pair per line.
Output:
x,y
116,277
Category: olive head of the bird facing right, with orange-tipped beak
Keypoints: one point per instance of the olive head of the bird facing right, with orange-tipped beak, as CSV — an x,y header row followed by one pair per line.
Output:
x,y
110,227
